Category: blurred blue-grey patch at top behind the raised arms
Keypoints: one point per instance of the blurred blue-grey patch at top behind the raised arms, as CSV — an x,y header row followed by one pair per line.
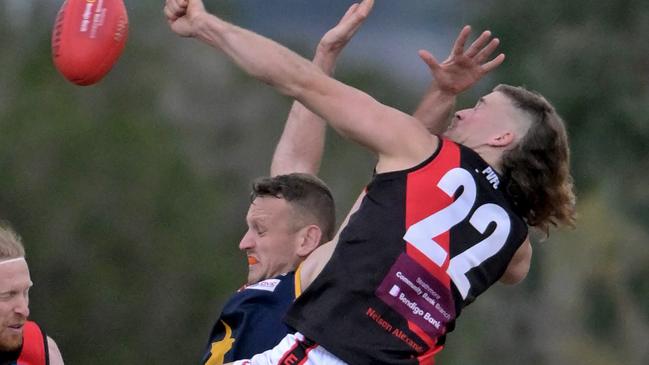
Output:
x,y
392,35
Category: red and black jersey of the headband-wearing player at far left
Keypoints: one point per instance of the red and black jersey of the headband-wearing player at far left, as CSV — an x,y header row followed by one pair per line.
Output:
x,y
34,350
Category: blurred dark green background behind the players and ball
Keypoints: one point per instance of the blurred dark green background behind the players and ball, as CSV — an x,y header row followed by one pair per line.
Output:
x,y
131,194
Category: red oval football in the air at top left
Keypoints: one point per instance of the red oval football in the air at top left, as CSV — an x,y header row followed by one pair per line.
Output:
x,y
88,38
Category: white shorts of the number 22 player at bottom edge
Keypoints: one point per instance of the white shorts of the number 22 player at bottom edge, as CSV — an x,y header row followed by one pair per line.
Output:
x,y
294,350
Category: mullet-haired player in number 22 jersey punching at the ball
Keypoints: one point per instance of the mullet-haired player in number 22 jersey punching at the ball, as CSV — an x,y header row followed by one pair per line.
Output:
x,y
443,219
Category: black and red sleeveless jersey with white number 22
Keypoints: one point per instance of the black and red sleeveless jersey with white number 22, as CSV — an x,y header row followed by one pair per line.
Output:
x,y
424,243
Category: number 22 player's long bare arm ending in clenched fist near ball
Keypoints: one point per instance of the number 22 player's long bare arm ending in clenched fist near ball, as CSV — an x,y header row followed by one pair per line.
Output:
x,y
398,139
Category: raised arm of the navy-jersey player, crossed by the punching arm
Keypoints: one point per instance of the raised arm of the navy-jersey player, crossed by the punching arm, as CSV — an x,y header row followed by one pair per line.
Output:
x,y
301,145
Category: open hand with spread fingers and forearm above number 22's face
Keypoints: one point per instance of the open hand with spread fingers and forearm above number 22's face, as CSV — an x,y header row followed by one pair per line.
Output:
x,y
460,71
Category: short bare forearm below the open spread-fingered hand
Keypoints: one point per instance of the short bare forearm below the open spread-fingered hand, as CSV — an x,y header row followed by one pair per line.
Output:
x,y
436,110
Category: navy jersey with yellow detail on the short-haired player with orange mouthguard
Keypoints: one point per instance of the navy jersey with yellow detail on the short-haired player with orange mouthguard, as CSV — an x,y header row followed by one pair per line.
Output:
x,y
251,320
